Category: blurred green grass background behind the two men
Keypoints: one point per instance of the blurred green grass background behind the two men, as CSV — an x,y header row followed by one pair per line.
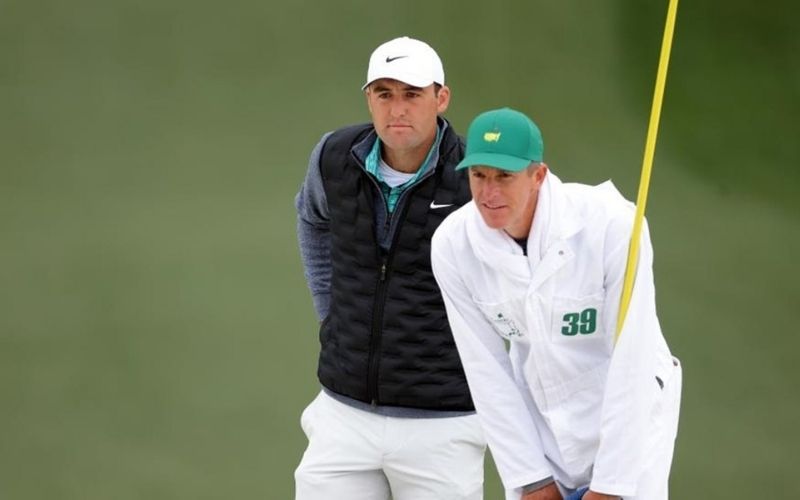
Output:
x,y
157,339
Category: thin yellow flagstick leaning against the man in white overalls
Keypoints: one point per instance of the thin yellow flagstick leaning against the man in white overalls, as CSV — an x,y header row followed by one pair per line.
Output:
x,y
647,166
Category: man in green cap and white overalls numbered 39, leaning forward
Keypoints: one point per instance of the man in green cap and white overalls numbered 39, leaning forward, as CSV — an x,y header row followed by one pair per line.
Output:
x,y
538,265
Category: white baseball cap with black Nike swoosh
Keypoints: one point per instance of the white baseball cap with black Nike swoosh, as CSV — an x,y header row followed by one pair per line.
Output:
x,y
407,60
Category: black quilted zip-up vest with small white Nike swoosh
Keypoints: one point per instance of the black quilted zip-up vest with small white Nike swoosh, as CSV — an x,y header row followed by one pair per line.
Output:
x,y
386,339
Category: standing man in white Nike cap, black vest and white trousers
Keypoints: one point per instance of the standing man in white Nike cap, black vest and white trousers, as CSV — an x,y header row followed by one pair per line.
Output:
x,y
394,418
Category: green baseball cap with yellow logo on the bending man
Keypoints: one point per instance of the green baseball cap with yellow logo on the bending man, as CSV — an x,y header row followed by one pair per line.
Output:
x,y
503,138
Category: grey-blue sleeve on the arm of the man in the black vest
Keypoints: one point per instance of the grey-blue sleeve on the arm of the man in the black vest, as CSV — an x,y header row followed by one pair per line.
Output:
x,y
313,234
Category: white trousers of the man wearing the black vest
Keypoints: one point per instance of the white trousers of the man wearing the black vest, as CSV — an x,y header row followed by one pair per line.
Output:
x,y
357,455
